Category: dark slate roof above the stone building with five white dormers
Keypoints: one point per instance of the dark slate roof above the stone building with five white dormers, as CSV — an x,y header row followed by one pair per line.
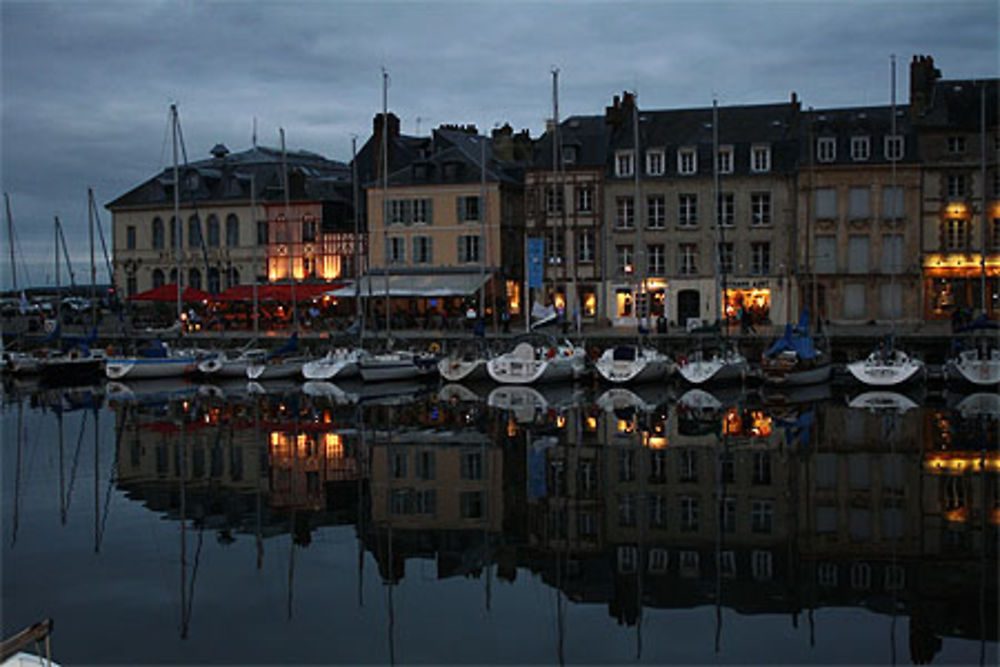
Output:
x,y
739,126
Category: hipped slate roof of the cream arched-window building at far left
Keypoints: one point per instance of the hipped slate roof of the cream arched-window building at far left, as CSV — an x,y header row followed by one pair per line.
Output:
x,y
228,178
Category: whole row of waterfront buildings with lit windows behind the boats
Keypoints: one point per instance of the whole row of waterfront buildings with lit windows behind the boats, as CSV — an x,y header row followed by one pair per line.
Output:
x,y
868,213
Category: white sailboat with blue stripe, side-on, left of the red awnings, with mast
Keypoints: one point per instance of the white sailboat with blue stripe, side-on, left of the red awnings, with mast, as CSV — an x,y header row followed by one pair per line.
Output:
x,y
158,360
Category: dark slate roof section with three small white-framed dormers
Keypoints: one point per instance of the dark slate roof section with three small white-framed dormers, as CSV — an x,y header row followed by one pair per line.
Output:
x,y
874,122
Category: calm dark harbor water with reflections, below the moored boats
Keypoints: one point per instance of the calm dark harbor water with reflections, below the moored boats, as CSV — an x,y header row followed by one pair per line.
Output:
x,y
167,522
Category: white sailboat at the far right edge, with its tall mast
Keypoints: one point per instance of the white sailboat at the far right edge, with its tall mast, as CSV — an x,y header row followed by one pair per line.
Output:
x,y
979,365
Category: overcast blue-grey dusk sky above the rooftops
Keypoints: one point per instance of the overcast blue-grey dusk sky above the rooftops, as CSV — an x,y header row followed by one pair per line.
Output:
x,y
86,85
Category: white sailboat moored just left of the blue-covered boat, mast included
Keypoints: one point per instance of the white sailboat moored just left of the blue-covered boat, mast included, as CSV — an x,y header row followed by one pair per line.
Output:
x,y
727,364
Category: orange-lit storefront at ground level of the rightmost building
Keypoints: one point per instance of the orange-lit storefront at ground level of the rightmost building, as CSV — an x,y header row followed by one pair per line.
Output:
x,y
955,281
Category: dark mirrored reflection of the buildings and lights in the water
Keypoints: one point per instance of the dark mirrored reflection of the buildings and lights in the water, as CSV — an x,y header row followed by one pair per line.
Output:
x,y
627,503
